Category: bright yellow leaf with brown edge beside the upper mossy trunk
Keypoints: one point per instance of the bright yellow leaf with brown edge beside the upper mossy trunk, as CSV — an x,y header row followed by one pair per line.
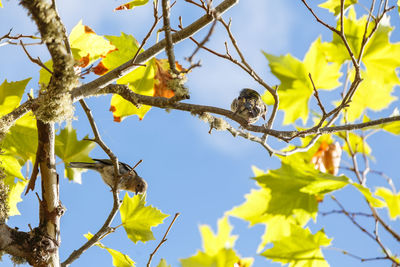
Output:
x,y
86,43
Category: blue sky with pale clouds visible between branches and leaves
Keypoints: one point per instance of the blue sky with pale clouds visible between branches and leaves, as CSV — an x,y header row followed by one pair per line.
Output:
x,y
188,170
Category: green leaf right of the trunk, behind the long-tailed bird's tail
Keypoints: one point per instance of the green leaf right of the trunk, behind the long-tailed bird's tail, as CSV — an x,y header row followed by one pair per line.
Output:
x,y
69,148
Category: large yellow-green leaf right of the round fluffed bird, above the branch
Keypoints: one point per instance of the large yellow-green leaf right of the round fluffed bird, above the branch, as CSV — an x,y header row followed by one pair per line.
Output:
x,y
296,89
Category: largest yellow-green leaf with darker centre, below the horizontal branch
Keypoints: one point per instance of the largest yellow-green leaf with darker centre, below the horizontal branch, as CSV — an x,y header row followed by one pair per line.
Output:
x,y
288,196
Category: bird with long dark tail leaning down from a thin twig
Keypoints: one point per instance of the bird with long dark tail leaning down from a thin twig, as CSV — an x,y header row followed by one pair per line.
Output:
x,y
129,179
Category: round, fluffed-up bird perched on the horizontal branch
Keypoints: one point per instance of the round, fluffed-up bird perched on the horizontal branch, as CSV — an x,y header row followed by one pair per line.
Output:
x,y
249,105
